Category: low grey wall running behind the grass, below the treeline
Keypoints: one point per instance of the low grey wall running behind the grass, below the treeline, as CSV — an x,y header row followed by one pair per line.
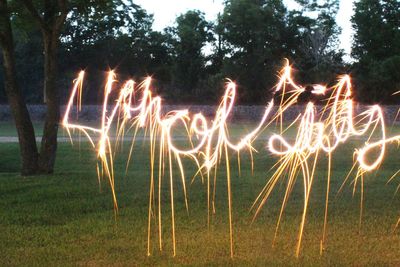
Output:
x,y
240,113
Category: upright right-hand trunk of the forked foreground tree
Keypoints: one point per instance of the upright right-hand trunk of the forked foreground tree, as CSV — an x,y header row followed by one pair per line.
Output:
x,y
49,139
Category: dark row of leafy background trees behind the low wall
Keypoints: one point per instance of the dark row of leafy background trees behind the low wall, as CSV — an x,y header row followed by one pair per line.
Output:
x,y
190,59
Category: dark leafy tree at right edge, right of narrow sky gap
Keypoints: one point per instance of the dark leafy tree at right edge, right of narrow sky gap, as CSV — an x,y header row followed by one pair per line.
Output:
x,y
376,48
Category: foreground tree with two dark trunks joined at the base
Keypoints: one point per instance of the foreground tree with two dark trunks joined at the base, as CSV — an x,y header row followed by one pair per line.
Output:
x,y
50,18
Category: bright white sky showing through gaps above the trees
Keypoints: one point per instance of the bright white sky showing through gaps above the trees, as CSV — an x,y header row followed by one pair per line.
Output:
x,y
165,12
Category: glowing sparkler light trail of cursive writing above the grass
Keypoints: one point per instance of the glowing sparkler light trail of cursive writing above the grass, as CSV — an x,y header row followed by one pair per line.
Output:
x,y
319,133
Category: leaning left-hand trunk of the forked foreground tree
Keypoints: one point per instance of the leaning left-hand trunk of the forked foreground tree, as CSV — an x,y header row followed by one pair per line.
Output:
x,y
23,123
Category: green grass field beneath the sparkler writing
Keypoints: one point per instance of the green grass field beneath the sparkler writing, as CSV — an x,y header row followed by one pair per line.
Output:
x,y
67,219
